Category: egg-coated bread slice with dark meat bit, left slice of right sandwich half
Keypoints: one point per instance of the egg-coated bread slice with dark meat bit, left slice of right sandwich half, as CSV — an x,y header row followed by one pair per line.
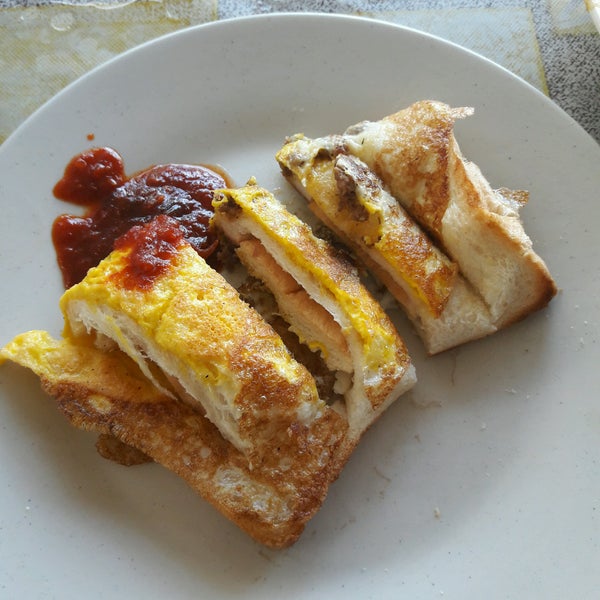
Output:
x,y
352,202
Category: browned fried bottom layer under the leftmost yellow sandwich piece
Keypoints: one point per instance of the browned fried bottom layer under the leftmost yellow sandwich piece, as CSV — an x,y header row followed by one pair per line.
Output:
x,y
112,410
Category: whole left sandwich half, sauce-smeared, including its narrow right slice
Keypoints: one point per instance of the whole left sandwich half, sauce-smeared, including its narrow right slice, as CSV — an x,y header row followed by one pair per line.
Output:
x,y
161,356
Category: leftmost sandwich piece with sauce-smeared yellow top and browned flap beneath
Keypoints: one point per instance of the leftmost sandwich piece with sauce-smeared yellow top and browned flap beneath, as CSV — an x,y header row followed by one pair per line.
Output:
x,y
160,352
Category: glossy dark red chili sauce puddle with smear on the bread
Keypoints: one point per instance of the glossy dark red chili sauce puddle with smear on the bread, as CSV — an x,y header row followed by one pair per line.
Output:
x,y
115,203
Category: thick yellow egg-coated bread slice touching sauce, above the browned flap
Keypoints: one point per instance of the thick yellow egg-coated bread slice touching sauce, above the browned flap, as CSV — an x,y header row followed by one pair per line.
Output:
x,y
191,325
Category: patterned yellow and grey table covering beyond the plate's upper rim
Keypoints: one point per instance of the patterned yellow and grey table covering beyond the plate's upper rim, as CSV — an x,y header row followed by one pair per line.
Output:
x,y
552,44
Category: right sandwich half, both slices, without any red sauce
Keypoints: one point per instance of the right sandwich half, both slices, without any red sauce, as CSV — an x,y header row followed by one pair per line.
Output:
x,y
452,250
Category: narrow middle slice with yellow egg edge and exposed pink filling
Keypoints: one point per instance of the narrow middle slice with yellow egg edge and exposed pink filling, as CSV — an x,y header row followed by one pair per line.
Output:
x,y
351,326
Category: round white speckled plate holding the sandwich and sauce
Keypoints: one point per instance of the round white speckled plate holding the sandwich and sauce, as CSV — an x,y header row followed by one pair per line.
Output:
x,y
490,492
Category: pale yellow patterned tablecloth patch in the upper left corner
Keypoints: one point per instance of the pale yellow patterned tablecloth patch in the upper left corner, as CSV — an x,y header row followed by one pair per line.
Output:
x,y
44,48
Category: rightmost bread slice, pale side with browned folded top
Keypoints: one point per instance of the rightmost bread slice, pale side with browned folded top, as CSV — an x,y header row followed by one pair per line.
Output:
x,y
417,157
